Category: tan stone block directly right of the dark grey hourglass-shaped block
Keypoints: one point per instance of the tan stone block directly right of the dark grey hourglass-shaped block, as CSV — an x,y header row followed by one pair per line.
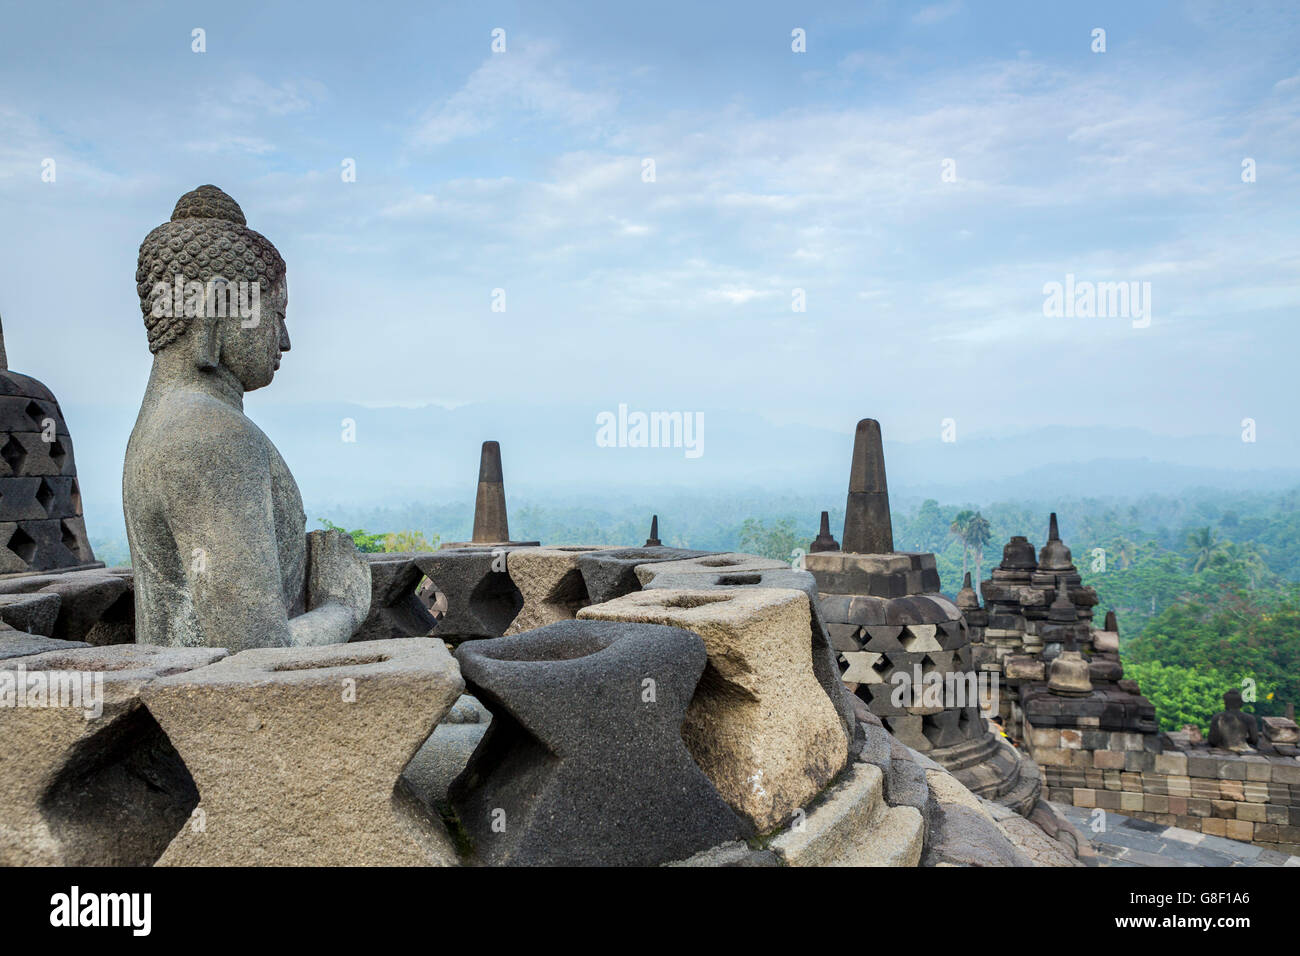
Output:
x,y
760,726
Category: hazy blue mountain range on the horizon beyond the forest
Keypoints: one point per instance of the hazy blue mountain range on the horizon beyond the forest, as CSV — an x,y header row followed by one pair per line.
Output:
x,y
431,455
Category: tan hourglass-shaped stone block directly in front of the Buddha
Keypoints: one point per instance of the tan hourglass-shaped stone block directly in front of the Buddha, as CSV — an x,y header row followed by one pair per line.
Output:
x,y
297,754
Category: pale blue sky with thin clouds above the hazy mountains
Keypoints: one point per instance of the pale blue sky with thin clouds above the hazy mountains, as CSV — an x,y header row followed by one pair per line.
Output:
x,y
774,171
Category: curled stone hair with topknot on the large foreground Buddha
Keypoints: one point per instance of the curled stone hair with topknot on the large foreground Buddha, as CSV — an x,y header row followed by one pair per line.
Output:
x,y
207,239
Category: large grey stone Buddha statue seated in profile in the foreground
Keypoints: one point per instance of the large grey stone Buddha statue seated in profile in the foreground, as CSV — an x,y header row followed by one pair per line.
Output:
x,y
214,517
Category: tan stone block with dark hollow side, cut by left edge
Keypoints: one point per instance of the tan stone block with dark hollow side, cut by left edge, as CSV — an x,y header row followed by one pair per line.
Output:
x,y
86,789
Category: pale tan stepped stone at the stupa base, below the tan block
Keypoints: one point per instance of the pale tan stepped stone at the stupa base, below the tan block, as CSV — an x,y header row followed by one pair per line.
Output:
x,y
853,827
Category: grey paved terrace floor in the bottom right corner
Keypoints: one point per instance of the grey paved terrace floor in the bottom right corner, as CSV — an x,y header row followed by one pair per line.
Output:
x,y
1132,842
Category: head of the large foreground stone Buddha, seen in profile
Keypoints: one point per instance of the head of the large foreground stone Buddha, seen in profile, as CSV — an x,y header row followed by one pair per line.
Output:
x,y
211,285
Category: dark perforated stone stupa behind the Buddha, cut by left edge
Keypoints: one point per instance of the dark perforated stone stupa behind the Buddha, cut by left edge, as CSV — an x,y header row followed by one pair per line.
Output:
x,y
41,511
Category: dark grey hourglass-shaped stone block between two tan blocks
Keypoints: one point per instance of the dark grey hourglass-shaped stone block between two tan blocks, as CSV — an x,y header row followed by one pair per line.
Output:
x,y
584,763
